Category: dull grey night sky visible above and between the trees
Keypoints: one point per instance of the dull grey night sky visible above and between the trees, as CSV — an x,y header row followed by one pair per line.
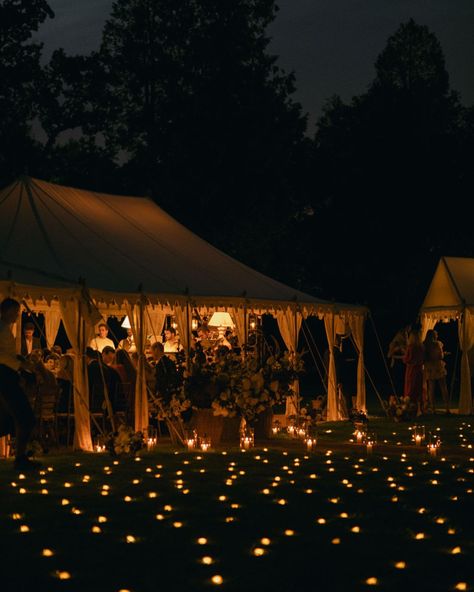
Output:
x,y
330,44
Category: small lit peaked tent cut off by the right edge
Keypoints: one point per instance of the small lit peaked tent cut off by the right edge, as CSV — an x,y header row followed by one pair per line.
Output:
x,y
451,297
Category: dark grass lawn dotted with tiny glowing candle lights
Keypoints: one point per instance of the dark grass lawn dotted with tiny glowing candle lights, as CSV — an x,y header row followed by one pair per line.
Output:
x,y
275,518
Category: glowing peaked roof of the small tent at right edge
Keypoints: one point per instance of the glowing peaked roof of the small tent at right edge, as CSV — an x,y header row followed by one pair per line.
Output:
x,y
452,286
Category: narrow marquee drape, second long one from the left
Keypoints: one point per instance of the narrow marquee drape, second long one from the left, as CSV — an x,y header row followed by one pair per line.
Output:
x,y
137,323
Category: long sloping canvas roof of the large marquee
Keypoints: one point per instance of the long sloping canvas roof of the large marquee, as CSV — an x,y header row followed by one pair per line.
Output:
x,y
53,235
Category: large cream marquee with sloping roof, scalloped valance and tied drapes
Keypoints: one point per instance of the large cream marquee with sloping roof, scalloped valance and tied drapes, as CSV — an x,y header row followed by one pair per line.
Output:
x,y
68,252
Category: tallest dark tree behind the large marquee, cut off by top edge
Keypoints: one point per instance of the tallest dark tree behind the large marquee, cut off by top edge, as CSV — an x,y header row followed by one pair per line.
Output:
x,y
198,114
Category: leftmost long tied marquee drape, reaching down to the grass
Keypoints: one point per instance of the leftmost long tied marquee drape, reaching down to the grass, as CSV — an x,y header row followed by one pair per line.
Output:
x,y
75,330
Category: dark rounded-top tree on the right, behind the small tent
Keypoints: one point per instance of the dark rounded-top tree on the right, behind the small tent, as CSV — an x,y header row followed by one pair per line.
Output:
x,y
392,172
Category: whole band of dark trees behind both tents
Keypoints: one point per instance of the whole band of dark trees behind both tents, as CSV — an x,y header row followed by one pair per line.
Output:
x,y
184,102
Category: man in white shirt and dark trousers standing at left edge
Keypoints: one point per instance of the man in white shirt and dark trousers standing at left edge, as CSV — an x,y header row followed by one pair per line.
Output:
x,y
16,416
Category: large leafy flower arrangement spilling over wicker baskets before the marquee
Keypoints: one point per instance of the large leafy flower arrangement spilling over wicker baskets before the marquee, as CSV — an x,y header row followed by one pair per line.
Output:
x,y
231,385
